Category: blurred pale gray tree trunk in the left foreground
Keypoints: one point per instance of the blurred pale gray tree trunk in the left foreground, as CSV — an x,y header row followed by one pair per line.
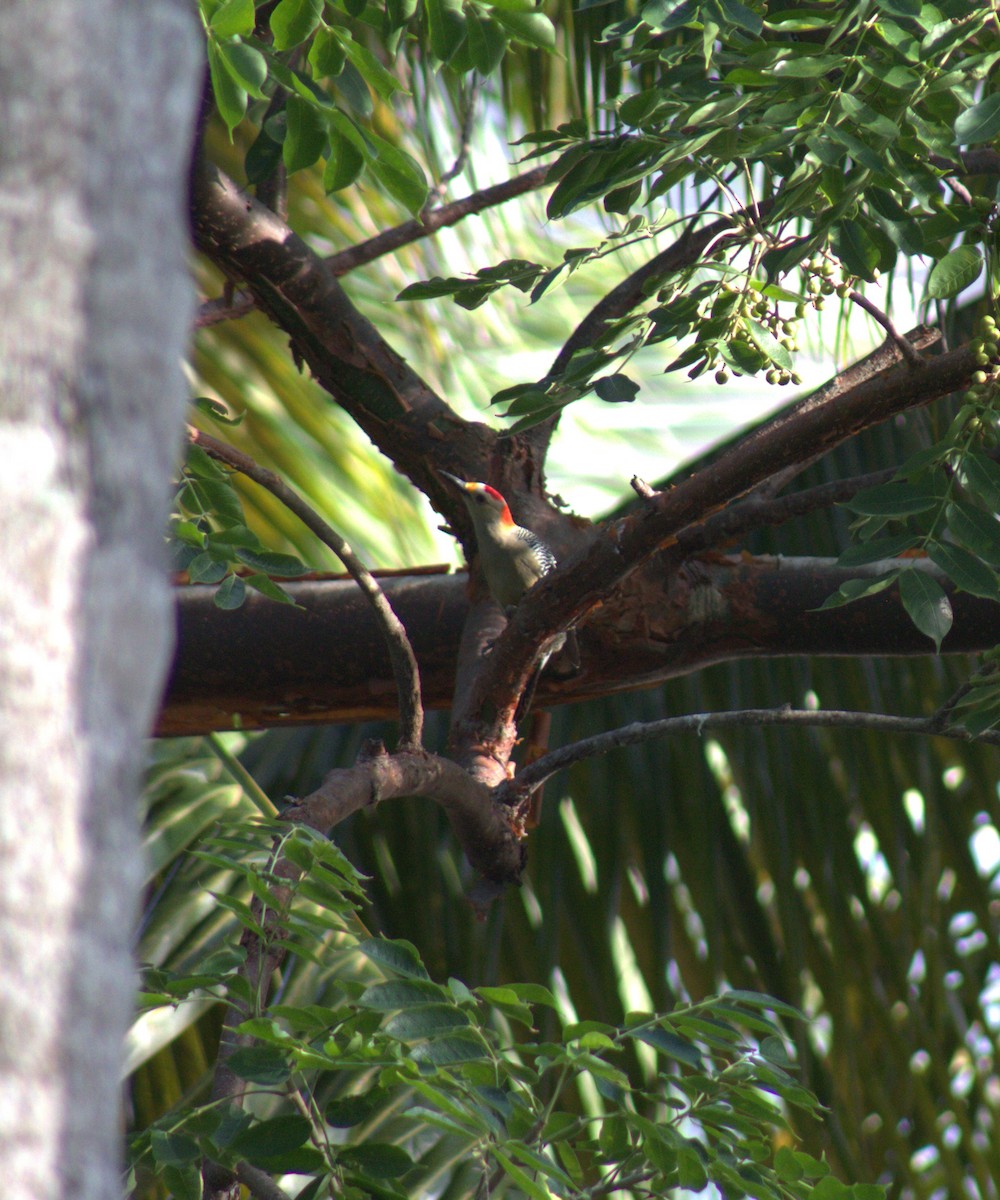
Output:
x,y
97,110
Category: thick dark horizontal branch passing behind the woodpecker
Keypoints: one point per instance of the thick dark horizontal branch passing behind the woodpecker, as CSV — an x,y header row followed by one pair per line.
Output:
x,y
325,661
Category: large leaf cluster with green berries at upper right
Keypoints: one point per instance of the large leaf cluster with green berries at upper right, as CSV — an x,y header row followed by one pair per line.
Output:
x,y
823,137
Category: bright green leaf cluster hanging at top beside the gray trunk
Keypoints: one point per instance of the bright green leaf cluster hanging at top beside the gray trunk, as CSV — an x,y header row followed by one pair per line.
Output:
x,y
312,74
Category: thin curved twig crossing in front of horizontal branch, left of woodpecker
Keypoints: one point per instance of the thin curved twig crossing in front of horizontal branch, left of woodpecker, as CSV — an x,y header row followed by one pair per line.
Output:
x,y
400,651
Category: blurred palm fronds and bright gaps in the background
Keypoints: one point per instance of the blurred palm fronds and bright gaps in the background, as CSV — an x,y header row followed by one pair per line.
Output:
x,y
847,873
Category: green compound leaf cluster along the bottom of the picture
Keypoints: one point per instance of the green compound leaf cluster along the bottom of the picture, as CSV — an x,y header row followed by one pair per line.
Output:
x,y
372,1093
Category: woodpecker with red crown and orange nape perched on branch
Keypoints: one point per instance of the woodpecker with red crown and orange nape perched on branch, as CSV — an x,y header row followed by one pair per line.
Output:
x,y
513,557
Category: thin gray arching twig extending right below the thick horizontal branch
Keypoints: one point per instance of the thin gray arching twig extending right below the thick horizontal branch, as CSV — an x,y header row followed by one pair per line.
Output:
x,y
698,723
